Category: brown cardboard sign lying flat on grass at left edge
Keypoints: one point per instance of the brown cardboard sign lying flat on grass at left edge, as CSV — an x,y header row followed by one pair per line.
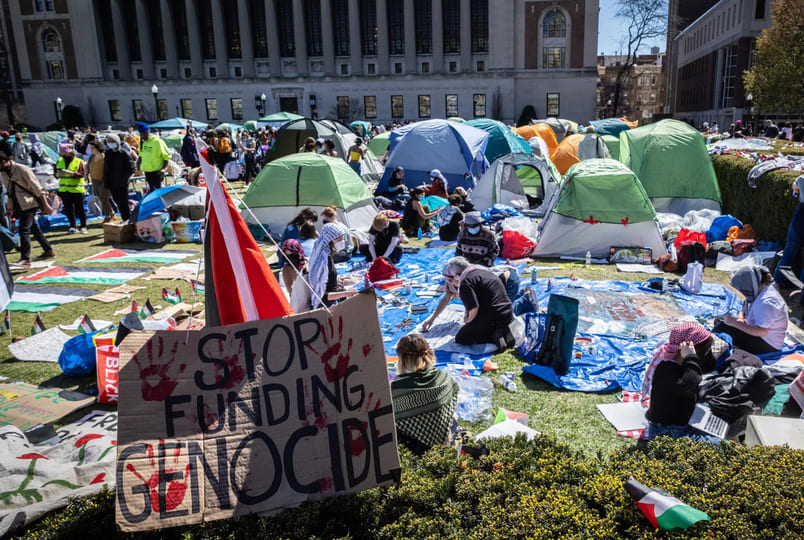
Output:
x,y
25,405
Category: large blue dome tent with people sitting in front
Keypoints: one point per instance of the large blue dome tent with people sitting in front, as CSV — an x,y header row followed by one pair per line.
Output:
x,y
453,148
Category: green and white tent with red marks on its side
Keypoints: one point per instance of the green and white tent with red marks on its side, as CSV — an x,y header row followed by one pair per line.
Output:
x,y
600,204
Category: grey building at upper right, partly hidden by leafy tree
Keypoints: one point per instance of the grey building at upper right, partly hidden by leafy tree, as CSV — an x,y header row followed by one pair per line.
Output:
x,y
709,57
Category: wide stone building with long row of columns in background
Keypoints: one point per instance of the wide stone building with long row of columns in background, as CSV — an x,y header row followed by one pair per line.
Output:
x,y
382,60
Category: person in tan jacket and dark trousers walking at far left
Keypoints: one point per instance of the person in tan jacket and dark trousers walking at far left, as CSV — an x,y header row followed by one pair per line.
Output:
x,y
25,197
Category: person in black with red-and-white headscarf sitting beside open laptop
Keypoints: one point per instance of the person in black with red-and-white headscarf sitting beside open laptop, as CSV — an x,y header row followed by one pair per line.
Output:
x,y
672,381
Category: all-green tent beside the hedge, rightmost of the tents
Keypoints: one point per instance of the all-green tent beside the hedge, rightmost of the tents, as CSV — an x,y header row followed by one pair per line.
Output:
x,y
671,161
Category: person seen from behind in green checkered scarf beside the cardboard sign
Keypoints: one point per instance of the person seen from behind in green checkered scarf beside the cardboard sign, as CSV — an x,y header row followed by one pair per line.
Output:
x,y
424,397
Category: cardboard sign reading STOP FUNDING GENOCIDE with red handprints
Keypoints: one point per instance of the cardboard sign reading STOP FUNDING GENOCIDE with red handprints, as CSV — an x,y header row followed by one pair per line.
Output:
x,y
252,417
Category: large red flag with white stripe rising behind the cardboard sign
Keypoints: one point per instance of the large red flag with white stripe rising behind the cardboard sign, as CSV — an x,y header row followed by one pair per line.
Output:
x,y
245,288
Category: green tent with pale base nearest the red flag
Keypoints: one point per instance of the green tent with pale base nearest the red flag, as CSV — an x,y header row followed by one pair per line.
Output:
x,y
286,185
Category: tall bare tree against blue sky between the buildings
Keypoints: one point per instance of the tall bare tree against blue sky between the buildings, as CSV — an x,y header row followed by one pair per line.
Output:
x,y
647,20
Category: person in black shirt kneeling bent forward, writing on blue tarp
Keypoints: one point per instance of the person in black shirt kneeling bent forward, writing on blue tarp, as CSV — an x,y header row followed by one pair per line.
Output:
x,y
489,312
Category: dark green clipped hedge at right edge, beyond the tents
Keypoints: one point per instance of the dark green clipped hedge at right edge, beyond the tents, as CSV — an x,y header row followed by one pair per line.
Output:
x,y
768,207
